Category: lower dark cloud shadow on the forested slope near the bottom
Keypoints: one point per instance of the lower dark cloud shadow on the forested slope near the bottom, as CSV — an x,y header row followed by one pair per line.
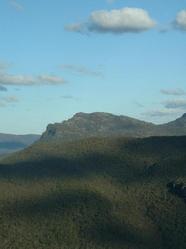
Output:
x,y
89,211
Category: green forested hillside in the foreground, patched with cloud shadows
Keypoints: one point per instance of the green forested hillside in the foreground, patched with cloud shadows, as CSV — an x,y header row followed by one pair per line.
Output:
x,y
96,193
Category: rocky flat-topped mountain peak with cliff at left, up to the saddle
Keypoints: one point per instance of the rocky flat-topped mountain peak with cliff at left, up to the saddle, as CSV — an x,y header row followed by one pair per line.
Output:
x,y
99,124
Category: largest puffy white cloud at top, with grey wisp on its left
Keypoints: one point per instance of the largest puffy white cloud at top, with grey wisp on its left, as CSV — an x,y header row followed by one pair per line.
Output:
x,y
116,21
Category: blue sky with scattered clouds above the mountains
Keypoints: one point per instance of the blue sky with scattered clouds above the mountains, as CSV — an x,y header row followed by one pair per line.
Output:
x,y
60,57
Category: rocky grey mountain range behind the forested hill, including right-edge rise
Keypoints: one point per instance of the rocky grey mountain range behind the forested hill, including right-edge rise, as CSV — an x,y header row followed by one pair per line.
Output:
x,y
83,125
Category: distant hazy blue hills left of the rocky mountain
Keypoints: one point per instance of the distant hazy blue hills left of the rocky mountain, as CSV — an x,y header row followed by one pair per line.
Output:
x,y
11,143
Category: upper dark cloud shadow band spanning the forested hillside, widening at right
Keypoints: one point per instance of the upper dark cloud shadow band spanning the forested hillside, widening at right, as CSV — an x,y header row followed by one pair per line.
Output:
x,y
135,161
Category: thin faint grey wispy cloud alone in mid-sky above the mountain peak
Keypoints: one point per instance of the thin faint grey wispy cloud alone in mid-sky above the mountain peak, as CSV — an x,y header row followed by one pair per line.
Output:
x,y
81,70
